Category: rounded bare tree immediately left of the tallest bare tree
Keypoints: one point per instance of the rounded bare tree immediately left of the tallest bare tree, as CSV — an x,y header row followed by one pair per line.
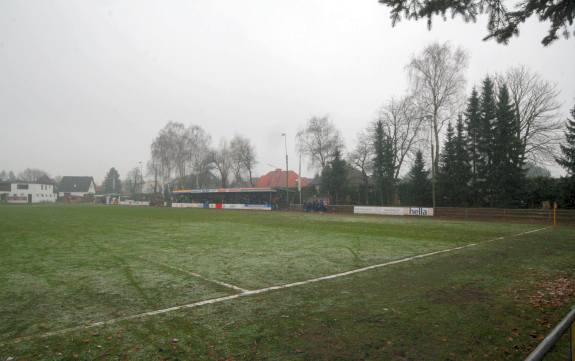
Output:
x,y
403,124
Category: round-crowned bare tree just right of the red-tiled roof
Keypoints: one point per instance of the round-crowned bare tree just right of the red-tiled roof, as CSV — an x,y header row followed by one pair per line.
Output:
x,y
319,140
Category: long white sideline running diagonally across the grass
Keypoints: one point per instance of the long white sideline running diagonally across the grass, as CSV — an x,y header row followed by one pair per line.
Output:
x,y
255,292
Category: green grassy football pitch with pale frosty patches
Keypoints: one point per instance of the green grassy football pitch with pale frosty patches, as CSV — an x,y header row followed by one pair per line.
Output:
x,y
63,267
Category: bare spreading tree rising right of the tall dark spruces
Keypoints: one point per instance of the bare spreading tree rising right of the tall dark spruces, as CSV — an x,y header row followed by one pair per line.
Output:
x,y
536,108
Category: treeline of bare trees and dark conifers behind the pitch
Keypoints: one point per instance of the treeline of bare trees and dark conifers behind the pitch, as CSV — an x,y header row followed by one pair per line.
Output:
x,y
486,148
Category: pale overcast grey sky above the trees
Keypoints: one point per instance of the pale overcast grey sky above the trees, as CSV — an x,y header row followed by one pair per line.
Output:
x,y
86,85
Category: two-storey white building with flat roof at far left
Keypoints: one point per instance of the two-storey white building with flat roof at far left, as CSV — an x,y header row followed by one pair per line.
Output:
x,y
27,192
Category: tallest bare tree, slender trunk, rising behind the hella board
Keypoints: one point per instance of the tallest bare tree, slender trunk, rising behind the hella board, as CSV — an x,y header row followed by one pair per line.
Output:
x,y
438,82
